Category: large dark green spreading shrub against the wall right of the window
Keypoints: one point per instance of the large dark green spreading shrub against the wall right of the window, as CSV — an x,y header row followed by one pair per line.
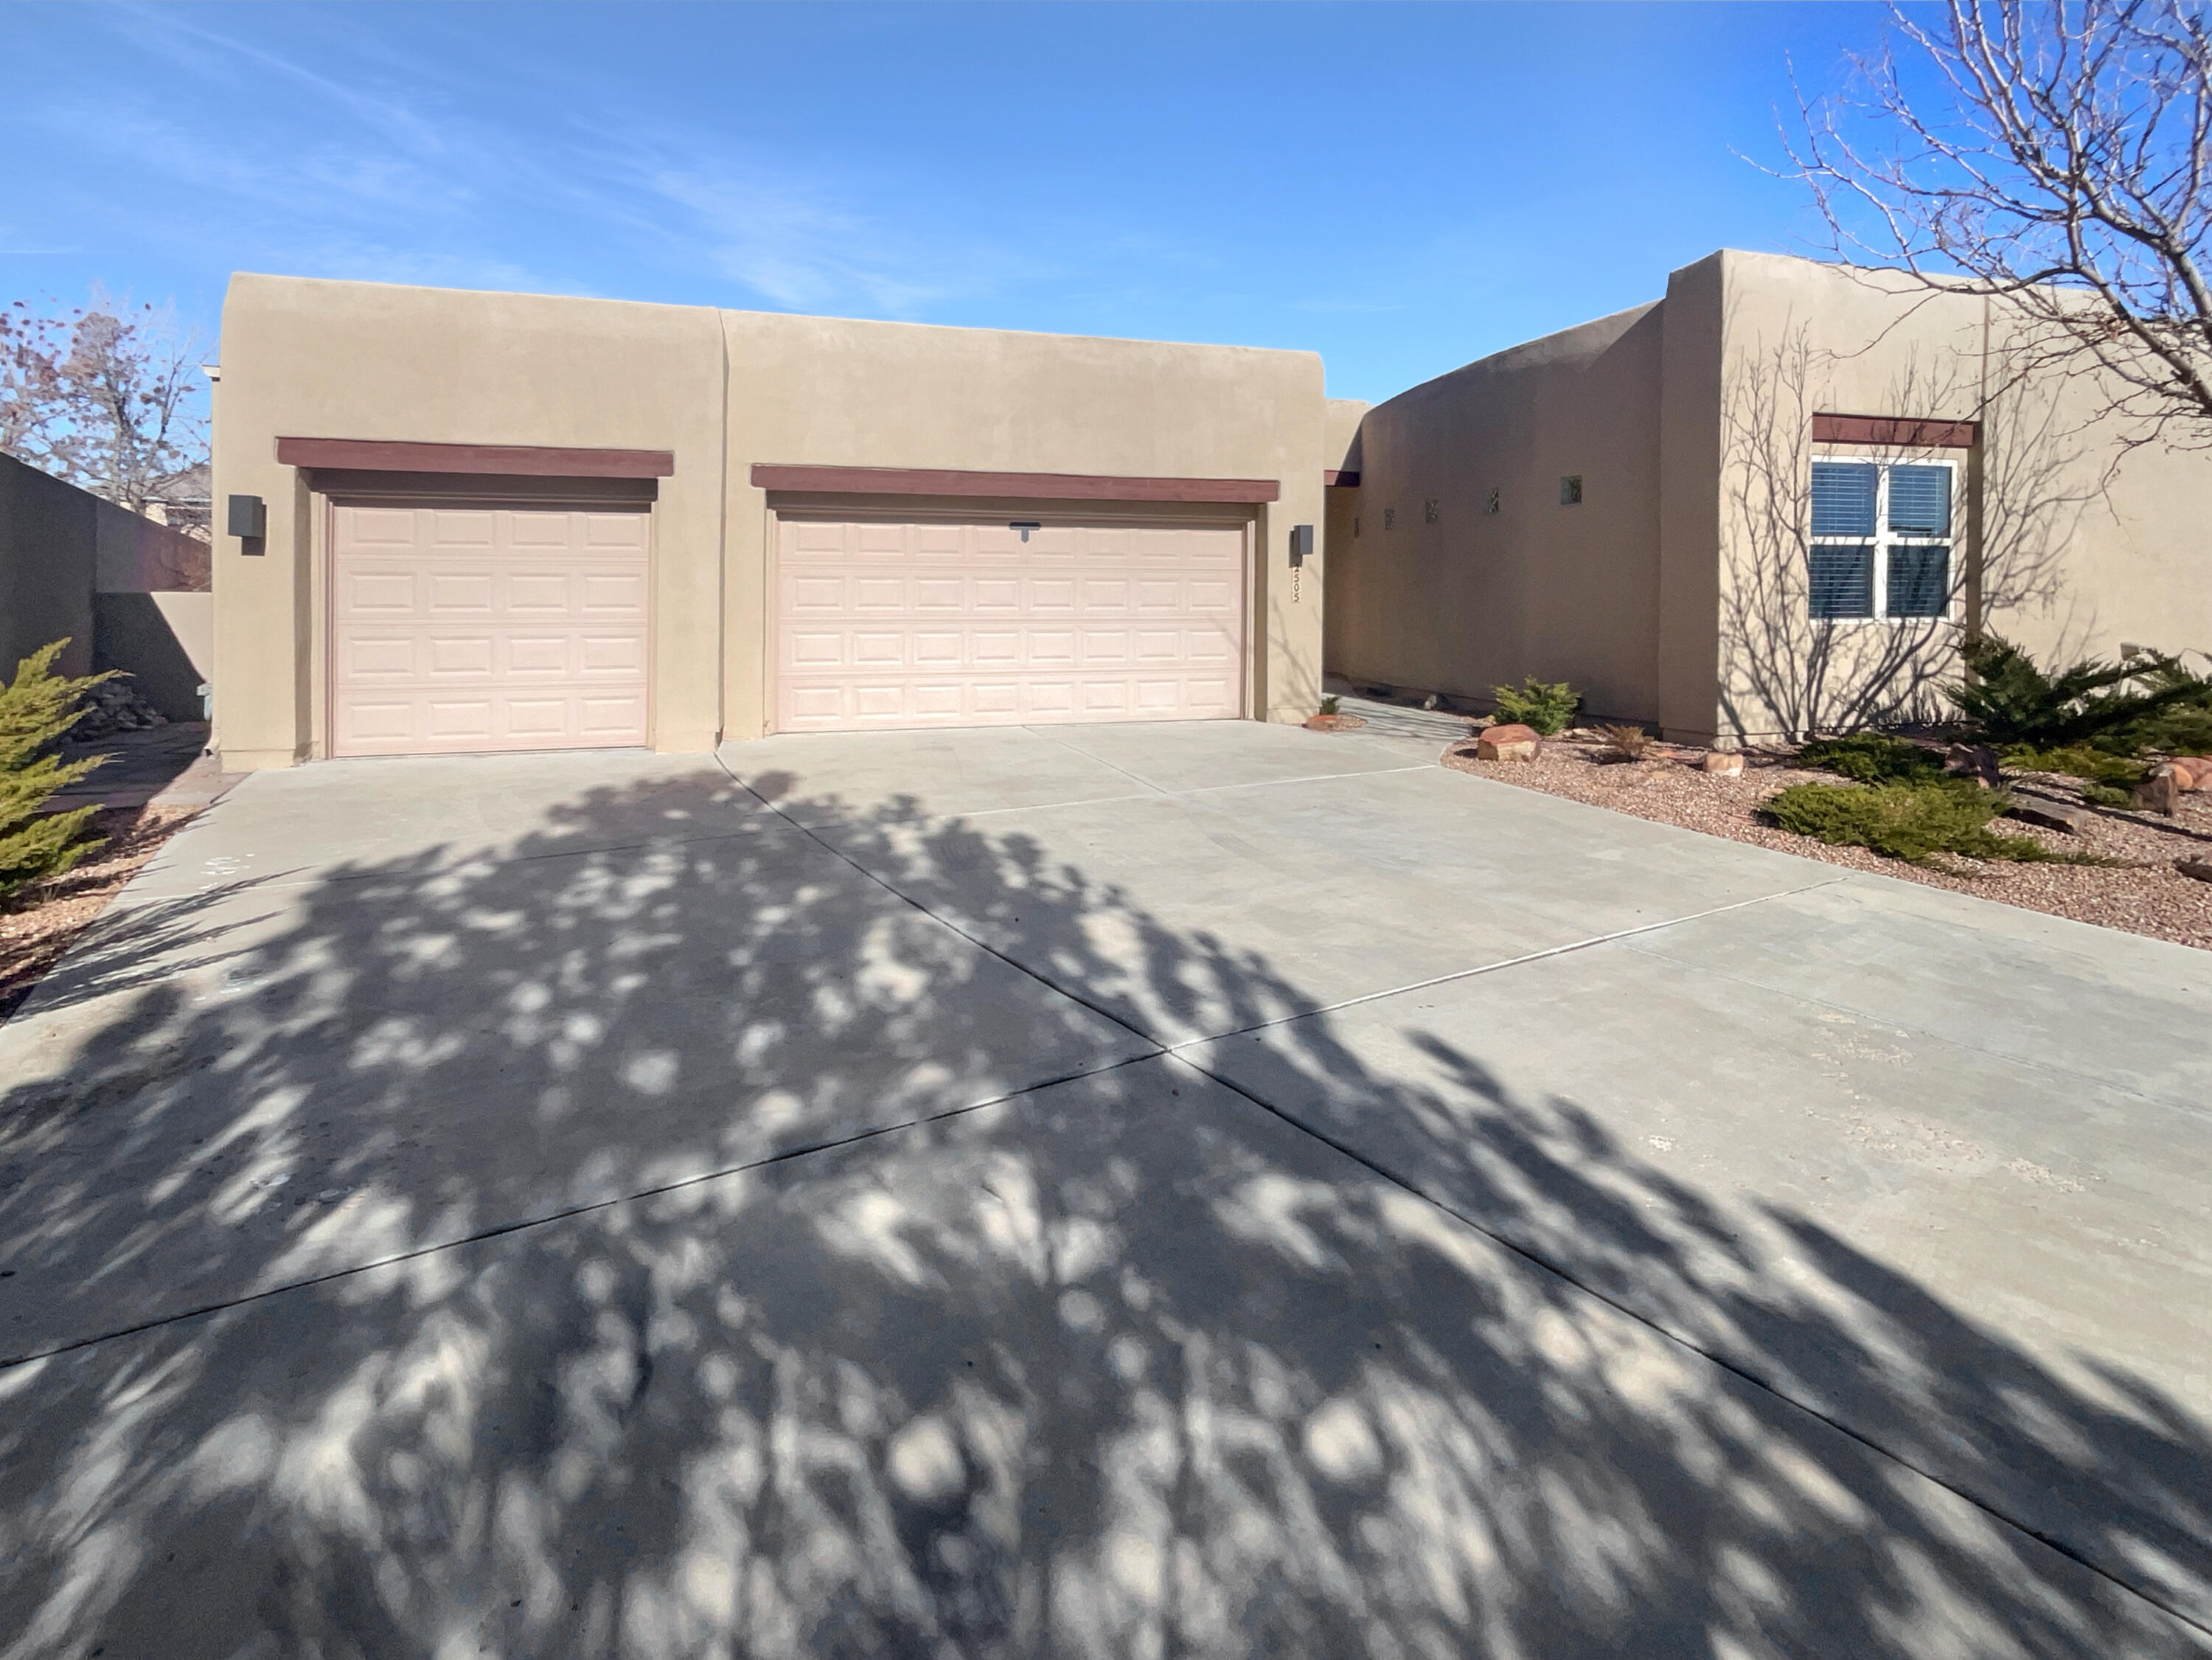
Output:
x,y
2116,707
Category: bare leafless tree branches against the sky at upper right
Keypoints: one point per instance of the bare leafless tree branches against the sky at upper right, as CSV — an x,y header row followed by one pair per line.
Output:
x,y
2056,156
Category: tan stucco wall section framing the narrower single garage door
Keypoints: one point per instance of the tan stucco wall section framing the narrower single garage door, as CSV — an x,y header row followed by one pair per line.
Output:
x,y
333,360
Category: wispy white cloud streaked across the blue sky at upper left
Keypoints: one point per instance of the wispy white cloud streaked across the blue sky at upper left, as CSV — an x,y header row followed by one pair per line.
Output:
x,y
406,180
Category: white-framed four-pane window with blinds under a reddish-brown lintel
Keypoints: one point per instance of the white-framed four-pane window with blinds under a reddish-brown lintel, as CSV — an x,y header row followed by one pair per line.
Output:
x,y
1881,539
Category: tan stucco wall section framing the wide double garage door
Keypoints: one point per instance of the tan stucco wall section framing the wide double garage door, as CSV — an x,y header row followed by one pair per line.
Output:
x,y
837,393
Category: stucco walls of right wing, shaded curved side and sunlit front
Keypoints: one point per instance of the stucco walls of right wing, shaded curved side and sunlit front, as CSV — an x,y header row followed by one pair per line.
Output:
x,y
1676,592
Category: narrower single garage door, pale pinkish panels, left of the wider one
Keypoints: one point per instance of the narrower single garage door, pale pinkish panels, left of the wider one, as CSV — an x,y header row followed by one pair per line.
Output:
x,y
466,630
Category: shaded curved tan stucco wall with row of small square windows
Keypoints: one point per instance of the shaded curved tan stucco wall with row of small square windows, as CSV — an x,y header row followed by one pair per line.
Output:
x,y
1434,592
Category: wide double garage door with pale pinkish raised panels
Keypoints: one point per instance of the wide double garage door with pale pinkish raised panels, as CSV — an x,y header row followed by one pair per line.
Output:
x,y
968,625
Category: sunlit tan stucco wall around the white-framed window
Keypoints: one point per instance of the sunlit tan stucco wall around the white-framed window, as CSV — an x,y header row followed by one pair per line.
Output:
x,y
2076,546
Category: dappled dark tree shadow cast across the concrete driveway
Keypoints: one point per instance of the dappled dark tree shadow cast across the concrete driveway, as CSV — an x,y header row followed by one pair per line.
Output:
x,y
689,1247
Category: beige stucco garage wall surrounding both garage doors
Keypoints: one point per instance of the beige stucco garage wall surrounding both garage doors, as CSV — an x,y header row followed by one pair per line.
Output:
x,y
720,391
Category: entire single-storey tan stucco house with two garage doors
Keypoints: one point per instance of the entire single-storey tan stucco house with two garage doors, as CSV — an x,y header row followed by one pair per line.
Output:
x,y
1768,504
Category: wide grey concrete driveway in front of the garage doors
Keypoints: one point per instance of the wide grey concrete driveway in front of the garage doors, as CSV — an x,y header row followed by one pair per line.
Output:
x,y
1089,1192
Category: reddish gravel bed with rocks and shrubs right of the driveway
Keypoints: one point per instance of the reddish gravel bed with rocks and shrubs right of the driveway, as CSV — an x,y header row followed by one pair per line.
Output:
x,y
2142,895
